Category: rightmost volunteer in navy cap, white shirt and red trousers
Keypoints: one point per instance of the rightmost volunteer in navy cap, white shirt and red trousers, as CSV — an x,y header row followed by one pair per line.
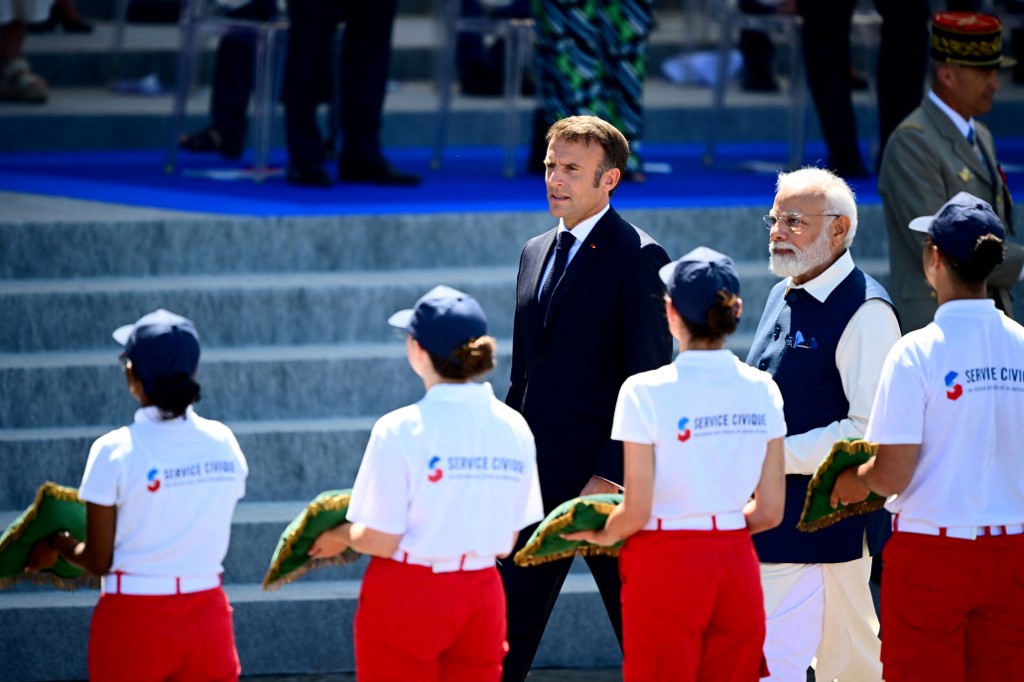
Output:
x,y
949,417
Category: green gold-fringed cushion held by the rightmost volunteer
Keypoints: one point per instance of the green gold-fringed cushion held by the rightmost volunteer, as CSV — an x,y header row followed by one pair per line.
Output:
x,y
819,513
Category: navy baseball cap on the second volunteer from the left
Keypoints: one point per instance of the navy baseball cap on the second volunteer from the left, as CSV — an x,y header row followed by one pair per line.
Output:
x,y
443,320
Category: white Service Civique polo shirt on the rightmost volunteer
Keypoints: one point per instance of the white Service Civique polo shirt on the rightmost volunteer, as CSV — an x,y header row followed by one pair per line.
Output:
x,y
957,388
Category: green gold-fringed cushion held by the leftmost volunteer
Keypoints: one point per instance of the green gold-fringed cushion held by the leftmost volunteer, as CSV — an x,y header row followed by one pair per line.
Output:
x,y
56,508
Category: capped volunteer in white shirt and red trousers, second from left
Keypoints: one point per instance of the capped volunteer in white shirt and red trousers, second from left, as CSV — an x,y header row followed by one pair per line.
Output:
x,y
444,489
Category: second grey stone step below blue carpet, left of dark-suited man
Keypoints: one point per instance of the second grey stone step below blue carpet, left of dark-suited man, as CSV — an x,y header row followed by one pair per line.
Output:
x,y
234,311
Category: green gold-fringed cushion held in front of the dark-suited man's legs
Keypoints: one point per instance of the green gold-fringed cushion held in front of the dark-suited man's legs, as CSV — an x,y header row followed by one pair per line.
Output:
x,y
586,514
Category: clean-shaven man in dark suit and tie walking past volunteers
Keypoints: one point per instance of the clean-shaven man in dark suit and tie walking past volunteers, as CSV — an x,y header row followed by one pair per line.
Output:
x,y
590,313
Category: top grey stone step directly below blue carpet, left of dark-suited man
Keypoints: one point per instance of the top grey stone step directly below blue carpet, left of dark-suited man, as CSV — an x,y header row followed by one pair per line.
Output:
x,y
73,247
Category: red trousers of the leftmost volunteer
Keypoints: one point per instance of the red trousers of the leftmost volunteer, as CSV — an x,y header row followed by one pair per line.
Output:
x,y
179,638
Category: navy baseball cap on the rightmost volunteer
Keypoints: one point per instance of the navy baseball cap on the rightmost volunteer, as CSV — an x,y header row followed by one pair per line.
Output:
x,y
959,225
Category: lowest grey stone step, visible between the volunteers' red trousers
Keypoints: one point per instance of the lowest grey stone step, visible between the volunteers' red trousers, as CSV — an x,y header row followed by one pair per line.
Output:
x,y
304,628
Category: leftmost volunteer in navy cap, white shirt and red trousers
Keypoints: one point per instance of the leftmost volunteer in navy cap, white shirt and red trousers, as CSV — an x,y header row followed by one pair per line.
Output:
x,y
160,496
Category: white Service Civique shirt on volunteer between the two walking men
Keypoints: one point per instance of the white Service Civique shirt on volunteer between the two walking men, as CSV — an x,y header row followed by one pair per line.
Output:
x,y
710,418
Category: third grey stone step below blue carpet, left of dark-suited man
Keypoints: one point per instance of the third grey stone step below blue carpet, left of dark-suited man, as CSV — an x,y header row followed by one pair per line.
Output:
x,y
245,385
